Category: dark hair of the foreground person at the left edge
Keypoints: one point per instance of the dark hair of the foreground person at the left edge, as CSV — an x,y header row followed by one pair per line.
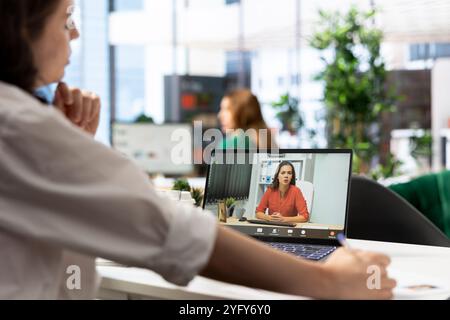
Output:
x,y
21,22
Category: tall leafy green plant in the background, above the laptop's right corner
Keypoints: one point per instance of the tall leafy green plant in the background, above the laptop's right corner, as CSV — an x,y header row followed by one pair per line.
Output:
x,y
356,93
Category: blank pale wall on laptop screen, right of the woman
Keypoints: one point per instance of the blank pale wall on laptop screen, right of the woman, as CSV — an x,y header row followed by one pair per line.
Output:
x,y
331,175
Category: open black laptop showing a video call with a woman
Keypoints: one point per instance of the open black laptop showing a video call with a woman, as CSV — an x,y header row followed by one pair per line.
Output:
x,y
242,178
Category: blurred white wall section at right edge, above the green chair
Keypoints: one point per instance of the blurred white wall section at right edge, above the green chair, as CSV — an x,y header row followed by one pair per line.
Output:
x,y
440,105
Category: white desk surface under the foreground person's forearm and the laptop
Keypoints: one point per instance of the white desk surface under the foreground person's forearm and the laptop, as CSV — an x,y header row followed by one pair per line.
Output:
x,y
408,262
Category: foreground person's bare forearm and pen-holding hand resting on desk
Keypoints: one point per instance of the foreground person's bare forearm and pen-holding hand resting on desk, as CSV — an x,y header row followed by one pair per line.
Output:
x,y
244,261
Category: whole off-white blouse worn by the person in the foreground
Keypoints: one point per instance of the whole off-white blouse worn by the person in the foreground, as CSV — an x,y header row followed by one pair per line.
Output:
x,y
66,199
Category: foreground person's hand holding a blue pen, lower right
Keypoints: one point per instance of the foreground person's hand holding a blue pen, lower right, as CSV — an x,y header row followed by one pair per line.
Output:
x,y
358,275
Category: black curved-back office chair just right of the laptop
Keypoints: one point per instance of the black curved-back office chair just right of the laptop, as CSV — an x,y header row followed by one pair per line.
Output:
x,y
377,213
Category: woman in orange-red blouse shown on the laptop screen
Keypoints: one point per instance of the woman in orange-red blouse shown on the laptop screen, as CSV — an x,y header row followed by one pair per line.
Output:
x,y
284,200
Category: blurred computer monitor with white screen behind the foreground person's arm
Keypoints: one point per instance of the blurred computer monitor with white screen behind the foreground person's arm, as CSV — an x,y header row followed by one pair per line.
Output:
x,y
157,149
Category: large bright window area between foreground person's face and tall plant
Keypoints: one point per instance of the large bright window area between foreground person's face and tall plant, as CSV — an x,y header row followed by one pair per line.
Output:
x,y
209,37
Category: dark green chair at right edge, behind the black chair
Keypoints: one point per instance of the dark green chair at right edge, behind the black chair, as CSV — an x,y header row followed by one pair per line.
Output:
x,y
430,195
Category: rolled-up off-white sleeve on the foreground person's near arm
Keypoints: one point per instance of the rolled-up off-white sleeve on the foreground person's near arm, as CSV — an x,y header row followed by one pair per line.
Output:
x,y
61,187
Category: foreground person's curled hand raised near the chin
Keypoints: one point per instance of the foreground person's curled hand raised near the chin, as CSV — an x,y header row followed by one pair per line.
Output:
x,y
82,108
